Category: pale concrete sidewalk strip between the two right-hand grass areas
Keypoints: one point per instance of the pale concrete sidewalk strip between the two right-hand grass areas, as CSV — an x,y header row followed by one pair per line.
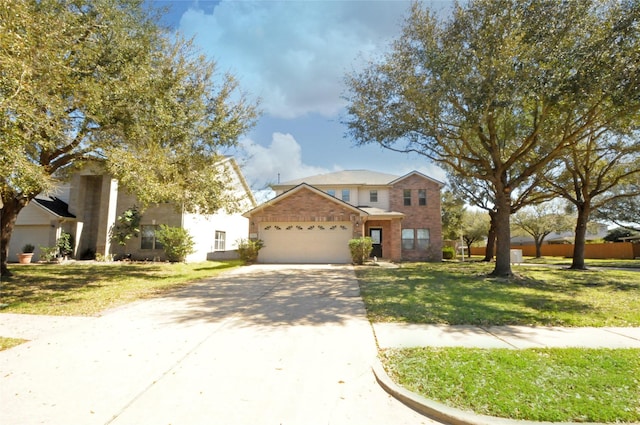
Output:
x,y
402,335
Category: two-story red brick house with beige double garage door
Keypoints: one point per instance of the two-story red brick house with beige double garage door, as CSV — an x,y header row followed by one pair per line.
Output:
x,y
311,220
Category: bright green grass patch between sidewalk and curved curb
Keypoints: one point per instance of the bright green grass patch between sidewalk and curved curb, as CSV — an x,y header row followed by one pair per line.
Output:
x,y
557,385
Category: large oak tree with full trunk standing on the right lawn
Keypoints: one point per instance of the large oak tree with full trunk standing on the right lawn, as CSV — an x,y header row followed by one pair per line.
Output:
x,y
500,90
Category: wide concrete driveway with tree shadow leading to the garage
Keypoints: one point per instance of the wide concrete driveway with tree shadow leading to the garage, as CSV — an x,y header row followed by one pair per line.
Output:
x,y
258,345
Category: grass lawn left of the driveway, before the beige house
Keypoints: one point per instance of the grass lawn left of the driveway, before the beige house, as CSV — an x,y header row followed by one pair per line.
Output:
x,y
80,289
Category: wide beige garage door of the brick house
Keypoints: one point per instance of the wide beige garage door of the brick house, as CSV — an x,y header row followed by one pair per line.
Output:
x,y
306,242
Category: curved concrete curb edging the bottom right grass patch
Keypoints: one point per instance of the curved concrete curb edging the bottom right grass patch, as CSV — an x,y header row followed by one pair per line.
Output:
x,y
446,414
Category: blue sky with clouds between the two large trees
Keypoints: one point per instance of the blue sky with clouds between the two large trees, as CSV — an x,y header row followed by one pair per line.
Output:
x,y
294,55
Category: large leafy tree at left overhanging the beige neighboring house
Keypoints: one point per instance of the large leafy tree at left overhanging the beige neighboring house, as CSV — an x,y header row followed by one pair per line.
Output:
x,y
101,80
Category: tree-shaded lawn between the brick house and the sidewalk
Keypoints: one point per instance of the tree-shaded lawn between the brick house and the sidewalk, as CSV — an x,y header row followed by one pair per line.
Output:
x,y
462,293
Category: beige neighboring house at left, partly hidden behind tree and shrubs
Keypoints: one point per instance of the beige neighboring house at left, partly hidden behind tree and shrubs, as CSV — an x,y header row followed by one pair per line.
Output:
x,y
93,202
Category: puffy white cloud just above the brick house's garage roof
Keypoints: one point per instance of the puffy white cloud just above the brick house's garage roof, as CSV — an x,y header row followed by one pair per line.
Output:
x,y
282,158
